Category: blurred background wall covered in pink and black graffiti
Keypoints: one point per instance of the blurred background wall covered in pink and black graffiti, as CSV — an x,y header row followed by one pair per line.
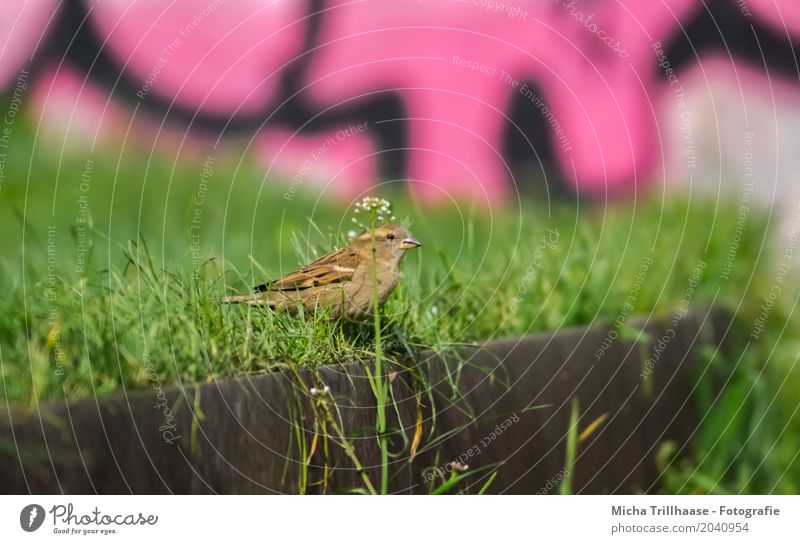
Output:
x,y
476,98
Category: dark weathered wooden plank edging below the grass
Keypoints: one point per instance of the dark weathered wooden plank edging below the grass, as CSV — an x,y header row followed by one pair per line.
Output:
x,y
243,440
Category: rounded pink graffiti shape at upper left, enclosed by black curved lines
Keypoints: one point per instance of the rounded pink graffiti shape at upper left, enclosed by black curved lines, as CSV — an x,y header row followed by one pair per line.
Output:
x,y
218,55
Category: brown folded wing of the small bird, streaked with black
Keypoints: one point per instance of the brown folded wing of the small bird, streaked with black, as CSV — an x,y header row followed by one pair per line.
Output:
x,y
335,267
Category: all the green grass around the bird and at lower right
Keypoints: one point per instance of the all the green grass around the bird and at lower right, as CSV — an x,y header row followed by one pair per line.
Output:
x,y
146,302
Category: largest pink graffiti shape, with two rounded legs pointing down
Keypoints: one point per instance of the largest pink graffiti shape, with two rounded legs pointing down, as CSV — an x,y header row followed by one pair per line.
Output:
x,y
599,99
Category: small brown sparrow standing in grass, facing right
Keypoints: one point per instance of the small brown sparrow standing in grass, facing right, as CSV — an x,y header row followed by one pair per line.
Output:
x,y
342,280
